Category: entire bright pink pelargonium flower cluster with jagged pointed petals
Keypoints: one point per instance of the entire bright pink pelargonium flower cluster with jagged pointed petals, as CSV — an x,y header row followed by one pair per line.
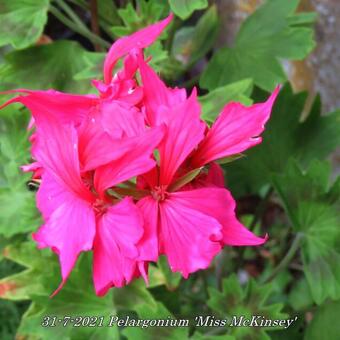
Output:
x,y
131,173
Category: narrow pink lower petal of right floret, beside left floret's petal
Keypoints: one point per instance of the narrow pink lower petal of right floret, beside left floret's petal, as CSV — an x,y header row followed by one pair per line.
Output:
x,y
148,245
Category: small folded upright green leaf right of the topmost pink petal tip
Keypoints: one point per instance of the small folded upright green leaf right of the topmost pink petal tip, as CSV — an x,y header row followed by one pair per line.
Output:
x,y
192,43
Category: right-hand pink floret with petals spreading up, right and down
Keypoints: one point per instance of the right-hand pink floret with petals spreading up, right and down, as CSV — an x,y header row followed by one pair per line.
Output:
x,y
190,224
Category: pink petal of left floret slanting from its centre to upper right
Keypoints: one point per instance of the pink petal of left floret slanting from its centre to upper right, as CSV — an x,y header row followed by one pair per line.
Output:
x,y
134,162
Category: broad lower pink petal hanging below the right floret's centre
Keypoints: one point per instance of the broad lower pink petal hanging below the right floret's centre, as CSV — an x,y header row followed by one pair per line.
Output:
x,y
186,236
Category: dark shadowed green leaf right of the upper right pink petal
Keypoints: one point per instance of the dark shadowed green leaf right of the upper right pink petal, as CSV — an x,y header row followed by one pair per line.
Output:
x,y
285,137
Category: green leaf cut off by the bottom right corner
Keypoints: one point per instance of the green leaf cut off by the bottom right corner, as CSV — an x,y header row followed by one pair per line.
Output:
x,y
325,323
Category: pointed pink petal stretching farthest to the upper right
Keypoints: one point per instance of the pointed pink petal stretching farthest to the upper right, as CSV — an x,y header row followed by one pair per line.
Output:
x,y
236,129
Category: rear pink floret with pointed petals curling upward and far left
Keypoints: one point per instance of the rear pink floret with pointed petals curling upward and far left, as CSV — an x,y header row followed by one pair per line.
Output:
x,y
121,90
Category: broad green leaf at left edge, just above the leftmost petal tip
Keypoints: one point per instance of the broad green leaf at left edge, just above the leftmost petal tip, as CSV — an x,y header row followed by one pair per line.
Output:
x,y
46,66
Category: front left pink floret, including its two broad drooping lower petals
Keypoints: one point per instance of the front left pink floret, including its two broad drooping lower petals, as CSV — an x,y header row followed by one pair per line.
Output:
x,y
79,215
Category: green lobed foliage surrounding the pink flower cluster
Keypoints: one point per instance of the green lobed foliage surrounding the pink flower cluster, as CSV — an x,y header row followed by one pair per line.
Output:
x,y
284,186
